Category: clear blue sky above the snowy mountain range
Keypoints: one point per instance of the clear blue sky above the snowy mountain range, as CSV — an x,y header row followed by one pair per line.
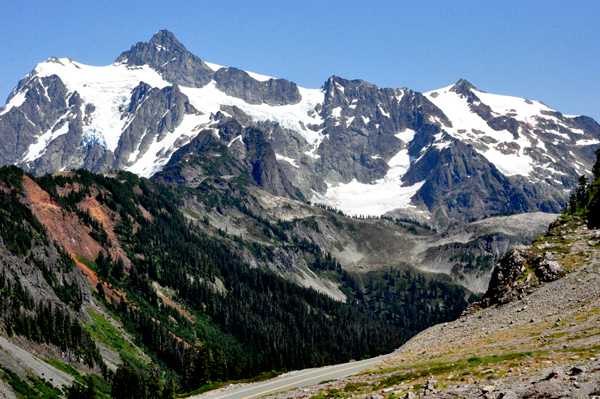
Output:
x,y
541,50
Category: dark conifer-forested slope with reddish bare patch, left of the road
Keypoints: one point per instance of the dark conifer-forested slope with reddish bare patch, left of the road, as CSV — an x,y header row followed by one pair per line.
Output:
x,y
124,262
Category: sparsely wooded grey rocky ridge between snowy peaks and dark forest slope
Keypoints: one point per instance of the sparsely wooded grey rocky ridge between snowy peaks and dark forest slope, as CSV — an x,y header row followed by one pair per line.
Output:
x,y
465,253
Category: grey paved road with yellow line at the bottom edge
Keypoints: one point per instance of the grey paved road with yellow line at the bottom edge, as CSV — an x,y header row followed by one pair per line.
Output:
x,y
292,380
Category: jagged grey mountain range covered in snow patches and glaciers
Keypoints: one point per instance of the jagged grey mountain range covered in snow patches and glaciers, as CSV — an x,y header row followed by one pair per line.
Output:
x,y
457,152
